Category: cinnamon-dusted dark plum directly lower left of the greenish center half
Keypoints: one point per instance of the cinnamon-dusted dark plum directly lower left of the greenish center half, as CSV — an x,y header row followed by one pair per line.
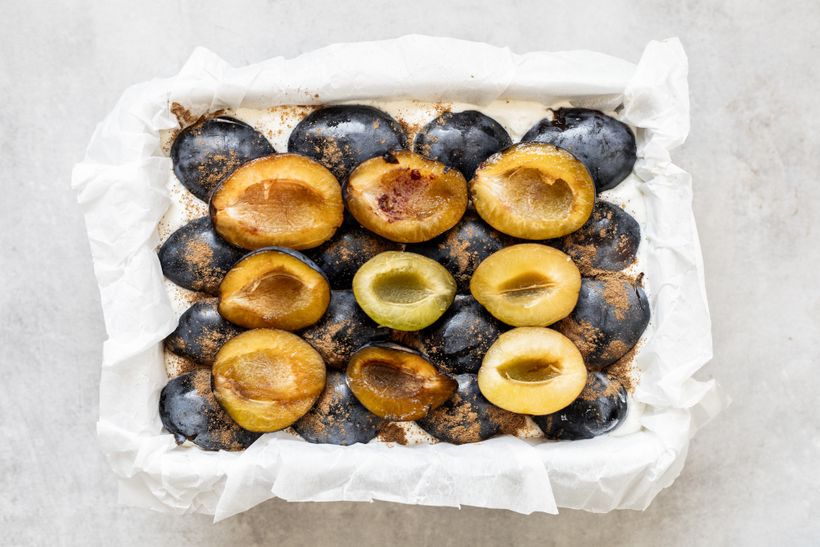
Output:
x,y
343,329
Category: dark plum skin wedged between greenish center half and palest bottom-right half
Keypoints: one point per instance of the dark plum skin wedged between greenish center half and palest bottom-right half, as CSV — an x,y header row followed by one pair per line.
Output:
x,y
457,342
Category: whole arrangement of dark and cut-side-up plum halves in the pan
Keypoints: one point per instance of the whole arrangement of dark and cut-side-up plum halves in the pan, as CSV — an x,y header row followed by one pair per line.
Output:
x,y
459,281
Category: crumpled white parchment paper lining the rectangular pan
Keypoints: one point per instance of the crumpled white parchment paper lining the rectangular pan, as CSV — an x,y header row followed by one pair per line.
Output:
x,y
121,186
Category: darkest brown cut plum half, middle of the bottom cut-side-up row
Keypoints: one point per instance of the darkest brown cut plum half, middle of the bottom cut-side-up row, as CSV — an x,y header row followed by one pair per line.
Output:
x,y
396,383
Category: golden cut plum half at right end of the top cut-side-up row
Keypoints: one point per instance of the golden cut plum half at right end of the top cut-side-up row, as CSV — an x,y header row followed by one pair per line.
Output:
x,y
533,191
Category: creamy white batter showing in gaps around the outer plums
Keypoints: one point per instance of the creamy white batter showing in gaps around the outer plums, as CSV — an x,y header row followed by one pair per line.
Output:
x,y
276,123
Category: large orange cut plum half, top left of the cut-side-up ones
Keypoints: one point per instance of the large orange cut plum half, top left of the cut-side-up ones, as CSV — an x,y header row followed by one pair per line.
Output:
x,y
283,200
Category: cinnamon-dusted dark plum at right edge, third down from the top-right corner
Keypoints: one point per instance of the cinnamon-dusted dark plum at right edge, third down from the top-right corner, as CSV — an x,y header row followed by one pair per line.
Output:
x,y
609,319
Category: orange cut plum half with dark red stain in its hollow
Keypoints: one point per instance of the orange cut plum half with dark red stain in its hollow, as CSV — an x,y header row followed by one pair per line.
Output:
x,y
406,197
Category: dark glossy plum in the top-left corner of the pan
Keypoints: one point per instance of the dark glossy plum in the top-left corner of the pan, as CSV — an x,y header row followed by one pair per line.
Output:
x,y
208,151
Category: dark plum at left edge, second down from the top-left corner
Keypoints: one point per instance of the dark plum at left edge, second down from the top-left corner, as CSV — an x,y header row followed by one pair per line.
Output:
x,y
195,257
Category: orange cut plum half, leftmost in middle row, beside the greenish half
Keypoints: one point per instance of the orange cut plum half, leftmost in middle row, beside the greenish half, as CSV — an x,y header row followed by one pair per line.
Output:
x,y
274,288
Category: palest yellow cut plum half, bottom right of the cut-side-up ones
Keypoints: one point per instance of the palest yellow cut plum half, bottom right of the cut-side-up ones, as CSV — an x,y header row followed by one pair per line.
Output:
x,y
531,370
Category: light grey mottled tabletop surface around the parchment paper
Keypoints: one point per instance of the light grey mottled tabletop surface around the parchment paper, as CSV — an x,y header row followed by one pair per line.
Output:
x,y
752,477
